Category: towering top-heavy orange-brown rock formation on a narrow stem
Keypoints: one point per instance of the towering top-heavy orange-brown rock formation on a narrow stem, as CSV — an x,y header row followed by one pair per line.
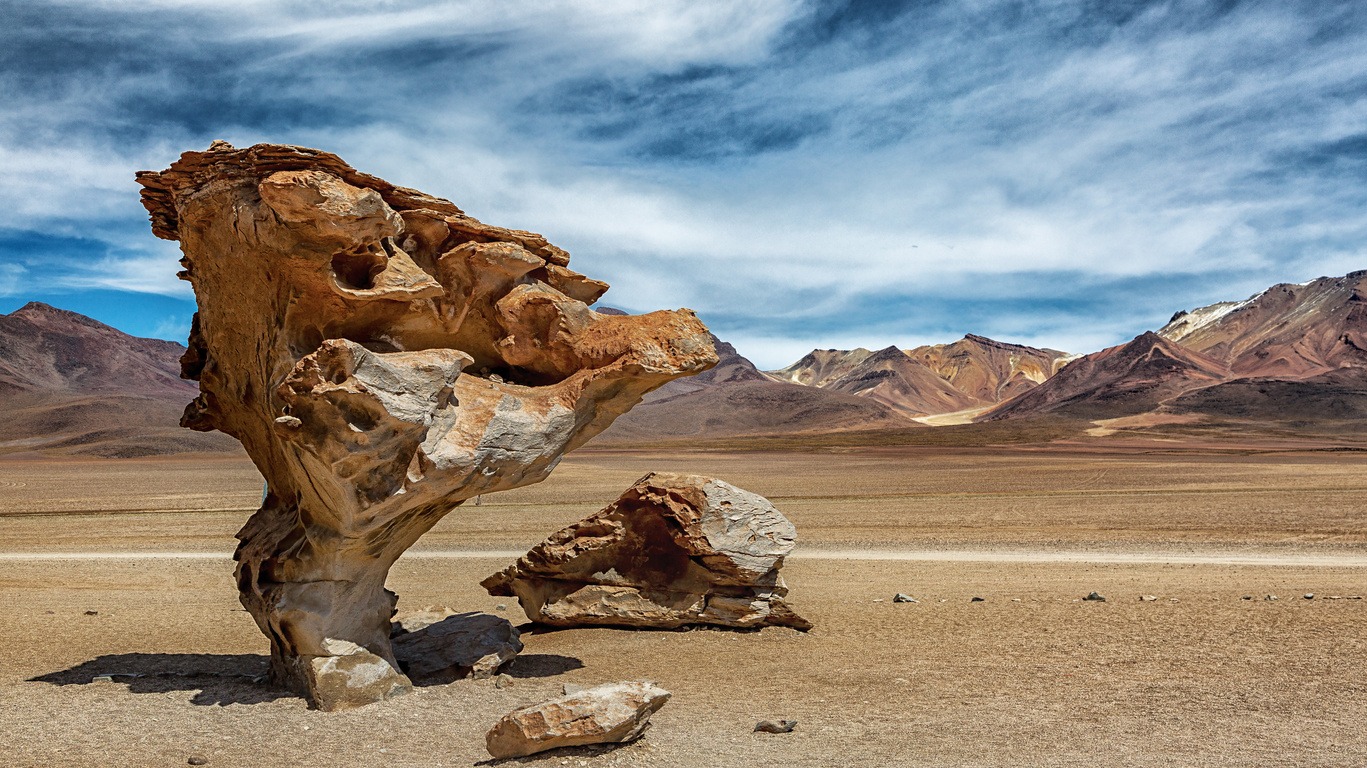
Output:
x,y
382,357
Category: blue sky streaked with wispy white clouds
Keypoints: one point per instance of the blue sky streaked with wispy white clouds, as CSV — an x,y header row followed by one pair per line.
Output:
x,y
804,174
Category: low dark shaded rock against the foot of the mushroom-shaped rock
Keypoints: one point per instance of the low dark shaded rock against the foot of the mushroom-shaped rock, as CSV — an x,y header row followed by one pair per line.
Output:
x,y
442,646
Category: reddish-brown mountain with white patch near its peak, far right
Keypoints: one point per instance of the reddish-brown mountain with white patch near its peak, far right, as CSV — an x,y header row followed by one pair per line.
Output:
x,y
1294,353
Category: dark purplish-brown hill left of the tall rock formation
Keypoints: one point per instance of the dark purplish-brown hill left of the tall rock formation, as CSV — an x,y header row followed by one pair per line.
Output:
x,y
76,386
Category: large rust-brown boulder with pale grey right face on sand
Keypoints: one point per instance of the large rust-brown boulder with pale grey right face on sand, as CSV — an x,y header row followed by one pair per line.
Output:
x,y
675,550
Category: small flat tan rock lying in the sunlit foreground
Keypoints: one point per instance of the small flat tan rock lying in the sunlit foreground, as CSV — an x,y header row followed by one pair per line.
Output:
x,y
608,714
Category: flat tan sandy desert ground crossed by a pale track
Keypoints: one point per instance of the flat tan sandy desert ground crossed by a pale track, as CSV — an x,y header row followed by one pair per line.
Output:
x,y
1030,677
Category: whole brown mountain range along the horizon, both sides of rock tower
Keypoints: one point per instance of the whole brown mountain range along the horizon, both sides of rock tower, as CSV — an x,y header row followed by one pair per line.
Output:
x,y
1291,355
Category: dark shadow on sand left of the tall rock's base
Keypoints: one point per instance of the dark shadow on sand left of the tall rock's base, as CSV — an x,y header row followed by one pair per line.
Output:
x,y
218,678
